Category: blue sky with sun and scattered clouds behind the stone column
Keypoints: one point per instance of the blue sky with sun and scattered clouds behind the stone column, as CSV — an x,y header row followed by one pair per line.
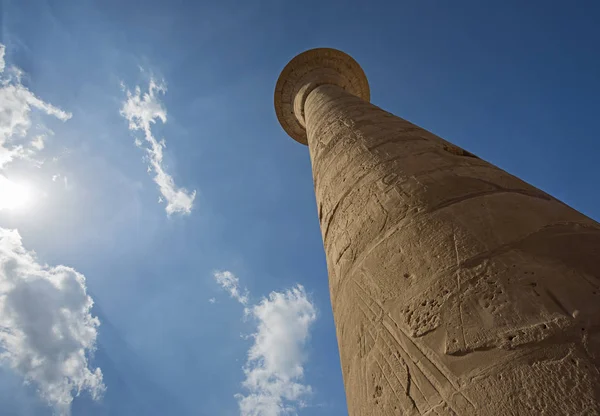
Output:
x,y
516,83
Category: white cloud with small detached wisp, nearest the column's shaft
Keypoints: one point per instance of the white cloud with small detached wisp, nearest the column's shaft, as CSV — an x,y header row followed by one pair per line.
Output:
x,y
274,370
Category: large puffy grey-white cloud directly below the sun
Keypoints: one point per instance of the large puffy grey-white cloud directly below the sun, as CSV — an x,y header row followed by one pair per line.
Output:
x,y
46,327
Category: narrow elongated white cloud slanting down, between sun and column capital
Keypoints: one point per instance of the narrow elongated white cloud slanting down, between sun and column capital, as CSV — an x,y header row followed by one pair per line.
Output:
x,y
142,111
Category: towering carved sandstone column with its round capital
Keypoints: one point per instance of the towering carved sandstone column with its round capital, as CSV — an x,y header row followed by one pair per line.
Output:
x,y
456,287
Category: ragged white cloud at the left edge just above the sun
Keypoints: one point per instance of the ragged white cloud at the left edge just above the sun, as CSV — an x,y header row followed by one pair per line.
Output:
x,y
16,105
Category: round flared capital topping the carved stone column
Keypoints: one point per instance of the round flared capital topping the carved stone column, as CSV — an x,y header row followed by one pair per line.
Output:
x,y
315,67
